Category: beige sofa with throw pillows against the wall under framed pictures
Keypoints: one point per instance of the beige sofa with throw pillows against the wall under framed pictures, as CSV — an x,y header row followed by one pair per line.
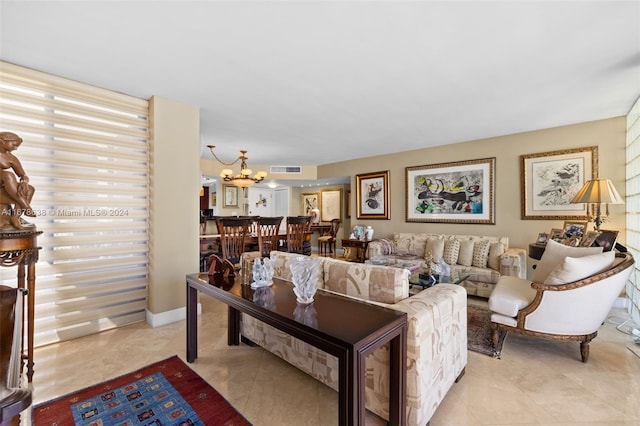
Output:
x,y
482,258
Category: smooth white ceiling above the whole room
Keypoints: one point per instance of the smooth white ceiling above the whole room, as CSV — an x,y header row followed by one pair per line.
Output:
x,y
304,83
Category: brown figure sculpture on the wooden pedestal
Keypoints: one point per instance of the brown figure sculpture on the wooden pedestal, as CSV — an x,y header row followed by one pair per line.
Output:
x,y
15,195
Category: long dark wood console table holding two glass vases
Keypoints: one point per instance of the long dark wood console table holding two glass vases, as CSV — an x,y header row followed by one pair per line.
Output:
x,y
346,328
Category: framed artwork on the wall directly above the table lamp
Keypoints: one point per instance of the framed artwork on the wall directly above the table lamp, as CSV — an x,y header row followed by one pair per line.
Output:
x,y
550,180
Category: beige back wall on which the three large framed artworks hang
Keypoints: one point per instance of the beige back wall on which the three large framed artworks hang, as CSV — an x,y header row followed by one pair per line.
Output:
x,y
608,135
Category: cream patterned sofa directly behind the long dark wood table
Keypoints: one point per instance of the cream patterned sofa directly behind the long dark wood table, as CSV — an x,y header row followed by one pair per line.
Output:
x,y
436,335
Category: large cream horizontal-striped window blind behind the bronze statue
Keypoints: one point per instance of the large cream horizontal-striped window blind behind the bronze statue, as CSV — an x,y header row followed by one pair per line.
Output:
x,y
86,152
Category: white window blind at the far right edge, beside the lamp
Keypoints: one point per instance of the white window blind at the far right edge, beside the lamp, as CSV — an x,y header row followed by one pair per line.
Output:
x,y
633,207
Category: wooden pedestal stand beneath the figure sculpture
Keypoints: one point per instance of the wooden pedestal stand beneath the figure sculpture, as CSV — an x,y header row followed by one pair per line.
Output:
x,y
20,248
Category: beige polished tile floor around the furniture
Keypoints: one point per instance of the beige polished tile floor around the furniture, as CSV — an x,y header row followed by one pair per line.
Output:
x,y
535,382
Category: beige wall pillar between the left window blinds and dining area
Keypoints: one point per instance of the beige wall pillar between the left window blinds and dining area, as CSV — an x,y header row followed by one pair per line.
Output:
x,y
174,199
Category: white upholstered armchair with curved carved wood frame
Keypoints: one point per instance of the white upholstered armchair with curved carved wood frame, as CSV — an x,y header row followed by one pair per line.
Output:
x,y
560,307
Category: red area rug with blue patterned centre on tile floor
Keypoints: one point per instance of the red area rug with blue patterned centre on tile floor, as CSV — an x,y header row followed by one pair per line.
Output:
x,y
167,392
